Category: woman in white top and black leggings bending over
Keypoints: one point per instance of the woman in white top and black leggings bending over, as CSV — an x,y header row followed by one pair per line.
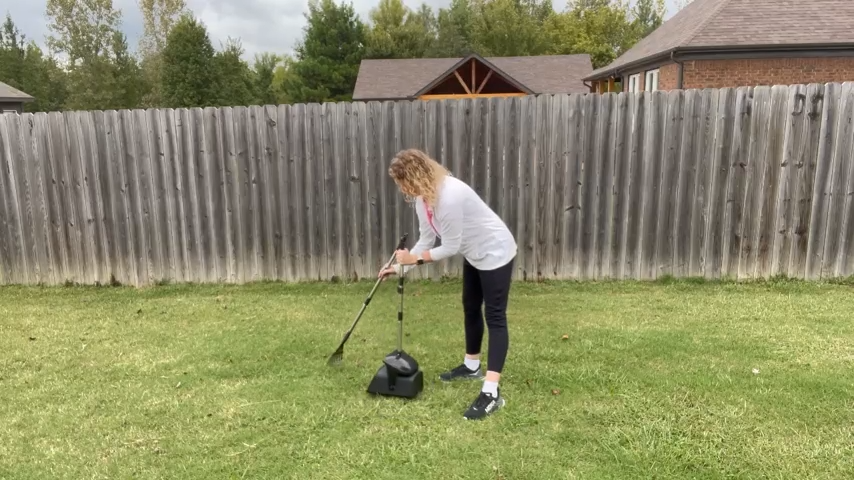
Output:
x,y
451,211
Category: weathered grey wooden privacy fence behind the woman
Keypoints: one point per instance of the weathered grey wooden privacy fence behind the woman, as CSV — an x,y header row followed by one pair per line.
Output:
x,y
739,183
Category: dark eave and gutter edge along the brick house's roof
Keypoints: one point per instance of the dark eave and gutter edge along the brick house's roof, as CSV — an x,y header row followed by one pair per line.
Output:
x,y
720,51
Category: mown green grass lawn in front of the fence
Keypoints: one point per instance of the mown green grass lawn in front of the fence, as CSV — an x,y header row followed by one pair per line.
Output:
x,y
673,380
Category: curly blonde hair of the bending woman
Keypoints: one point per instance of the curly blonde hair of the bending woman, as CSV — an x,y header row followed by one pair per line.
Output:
x,y
417,175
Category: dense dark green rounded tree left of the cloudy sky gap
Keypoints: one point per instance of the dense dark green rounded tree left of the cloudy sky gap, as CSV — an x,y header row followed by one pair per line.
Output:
x,y
189,74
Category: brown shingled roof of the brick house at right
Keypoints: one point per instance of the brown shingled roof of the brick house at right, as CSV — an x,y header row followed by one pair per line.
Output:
x,y
744,25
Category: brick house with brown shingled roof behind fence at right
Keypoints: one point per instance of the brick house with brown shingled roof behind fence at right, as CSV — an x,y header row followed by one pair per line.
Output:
x,y
733,43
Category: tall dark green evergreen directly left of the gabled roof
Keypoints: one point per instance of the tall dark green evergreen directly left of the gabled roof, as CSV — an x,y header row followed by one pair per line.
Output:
x,y
328,58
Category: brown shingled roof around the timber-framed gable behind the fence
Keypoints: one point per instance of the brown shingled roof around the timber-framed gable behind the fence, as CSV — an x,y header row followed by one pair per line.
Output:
x,y
405,78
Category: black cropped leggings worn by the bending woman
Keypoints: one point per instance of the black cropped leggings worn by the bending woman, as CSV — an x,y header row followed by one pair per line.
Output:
x,y
489,288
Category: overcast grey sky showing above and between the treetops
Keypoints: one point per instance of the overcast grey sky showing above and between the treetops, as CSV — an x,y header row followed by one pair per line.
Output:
x,y
261,25
